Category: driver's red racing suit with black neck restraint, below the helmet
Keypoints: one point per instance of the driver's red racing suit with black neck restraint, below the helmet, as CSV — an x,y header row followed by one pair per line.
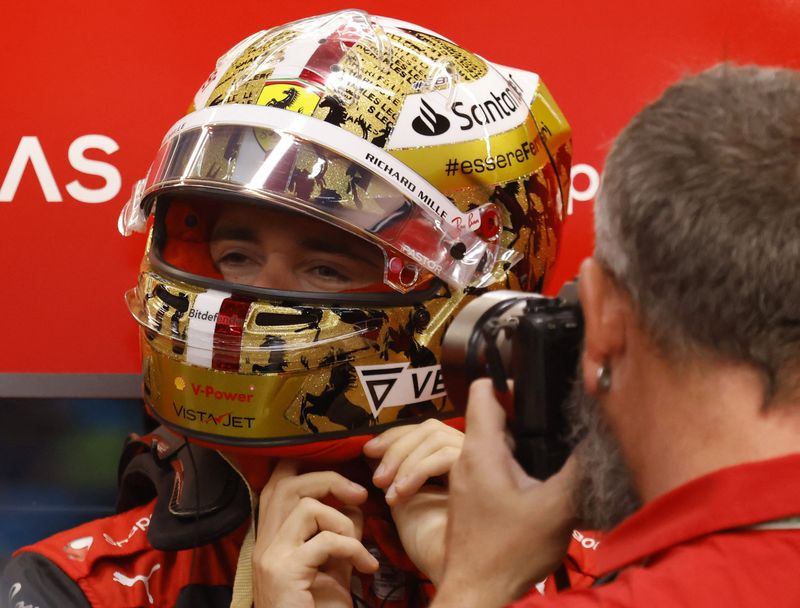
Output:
x,y
183,515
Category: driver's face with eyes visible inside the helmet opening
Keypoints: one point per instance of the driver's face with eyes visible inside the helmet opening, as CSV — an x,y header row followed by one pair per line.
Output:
x,y
277,250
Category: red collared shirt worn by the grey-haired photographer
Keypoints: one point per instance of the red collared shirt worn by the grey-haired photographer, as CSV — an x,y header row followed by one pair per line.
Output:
x,y
697,546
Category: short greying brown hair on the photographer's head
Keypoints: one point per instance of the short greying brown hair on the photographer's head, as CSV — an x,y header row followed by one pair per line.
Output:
x,y
699,218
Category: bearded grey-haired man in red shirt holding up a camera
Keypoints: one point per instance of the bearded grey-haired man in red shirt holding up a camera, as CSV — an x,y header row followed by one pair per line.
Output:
x,y
690,363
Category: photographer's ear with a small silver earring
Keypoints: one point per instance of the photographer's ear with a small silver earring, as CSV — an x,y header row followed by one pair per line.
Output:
x,y
604,311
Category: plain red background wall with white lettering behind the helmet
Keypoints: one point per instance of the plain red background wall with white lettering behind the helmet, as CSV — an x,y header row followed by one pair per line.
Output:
x,y
89,83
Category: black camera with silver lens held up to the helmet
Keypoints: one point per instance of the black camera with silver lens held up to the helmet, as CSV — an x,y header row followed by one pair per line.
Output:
x,y
533,340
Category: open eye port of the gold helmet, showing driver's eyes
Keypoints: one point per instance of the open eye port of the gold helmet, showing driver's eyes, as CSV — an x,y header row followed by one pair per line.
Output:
x,y
264,246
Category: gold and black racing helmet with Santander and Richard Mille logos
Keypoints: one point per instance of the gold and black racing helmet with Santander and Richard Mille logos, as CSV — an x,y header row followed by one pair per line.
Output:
x,y
453,171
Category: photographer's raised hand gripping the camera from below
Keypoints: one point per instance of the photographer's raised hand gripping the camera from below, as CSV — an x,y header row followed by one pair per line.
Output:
x,y
506,531
